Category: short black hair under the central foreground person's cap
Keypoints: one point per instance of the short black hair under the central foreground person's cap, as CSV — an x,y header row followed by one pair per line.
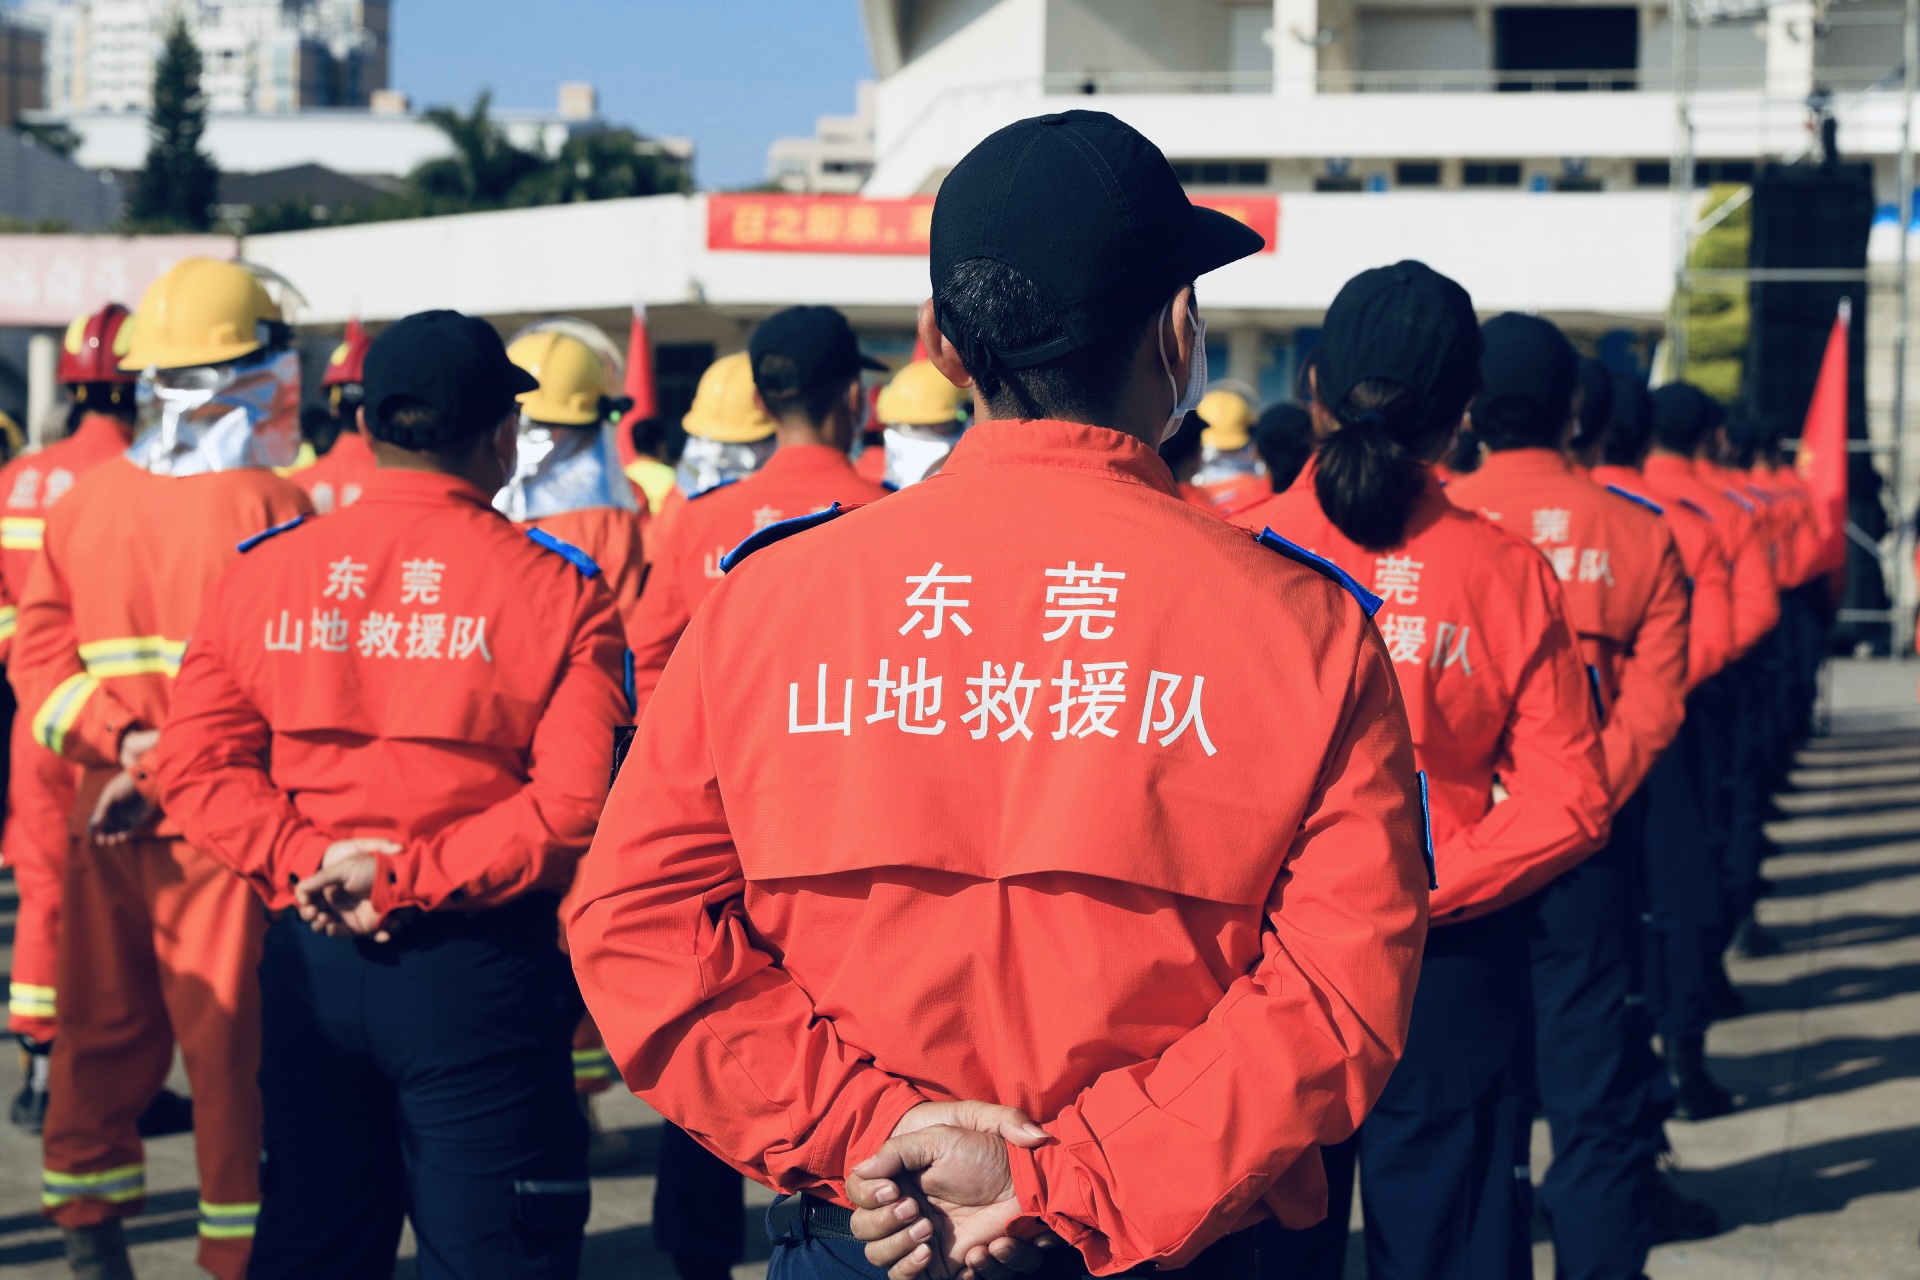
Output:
x,y
986,306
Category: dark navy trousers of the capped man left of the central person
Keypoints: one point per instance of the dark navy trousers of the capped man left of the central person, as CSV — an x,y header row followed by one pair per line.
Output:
x,y
429,1078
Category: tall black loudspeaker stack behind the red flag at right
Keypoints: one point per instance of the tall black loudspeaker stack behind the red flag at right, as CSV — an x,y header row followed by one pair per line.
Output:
x,y
1817,218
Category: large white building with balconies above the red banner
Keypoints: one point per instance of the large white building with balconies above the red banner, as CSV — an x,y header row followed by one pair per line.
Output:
x,y
1385,95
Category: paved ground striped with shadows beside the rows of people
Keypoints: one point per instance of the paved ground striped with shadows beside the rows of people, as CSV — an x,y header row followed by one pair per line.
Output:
x,y
1819,1175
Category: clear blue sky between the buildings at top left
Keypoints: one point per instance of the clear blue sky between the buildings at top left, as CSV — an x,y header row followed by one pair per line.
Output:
x,y
729,74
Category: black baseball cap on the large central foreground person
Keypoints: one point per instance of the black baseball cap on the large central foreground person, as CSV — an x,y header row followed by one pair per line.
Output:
x,y
1092,214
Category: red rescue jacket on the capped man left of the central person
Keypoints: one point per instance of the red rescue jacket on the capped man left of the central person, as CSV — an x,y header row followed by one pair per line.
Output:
x,y
414,669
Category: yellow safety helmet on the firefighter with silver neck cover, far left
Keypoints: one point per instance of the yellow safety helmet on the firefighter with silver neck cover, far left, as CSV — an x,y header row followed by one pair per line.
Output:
x,y
203,312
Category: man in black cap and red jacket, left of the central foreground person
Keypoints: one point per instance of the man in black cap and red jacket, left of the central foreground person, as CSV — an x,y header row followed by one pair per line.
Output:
x,y
396,724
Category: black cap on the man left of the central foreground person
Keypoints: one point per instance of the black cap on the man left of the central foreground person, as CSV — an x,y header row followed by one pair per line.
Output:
x,y
450,362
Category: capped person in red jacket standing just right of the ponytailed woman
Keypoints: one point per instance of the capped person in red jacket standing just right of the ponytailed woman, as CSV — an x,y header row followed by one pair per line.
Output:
x,y
1625,590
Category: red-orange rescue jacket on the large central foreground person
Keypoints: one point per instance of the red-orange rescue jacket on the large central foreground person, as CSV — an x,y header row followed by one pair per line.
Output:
x,y
1017,646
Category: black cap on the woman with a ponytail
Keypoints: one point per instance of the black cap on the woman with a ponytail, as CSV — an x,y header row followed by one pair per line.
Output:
x,y
1408,325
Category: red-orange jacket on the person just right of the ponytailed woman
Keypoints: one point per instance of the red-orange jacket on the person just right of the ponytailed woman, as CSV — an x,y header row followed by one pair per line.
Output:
x,y
1625,592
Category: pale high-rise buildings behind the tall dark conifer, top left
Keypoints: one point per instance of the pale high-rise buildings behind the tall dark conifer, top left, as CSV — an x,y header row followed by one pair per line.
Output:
x,y
258,55
